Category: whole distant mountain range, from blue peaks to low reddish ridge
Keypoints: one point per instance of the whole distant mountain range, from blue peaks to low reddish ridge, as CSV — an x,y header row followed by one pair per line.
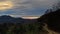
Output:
x,y
9,19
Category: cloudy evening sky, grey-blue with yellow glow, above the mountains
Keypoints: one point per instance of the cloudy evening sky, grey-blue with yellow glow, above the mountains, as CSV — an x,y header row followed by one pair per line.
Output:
x,y
19,8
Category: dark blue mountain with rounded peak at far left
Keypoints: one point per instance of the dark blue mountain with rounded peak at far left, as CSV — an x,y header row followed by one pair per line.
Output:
x,y
8,19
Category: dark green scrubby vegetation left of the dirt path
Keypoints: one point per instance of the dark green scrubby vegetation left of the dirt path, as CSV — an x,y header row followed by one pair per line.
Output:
x,y
33,28
